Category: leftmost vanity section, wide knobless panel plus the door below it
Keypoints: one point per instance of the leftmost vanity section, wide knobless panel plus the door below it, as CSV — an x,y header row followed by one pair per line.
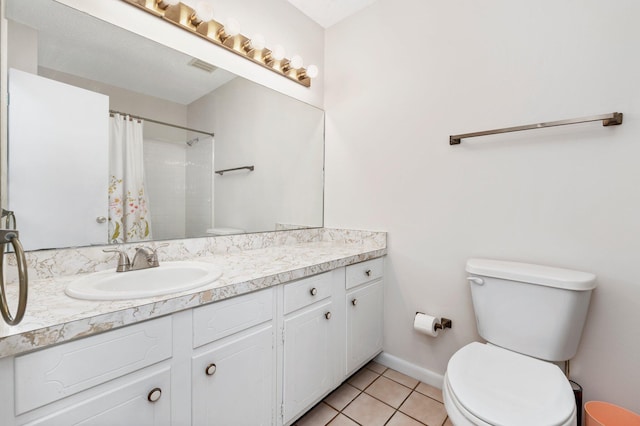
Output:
x,y
120,377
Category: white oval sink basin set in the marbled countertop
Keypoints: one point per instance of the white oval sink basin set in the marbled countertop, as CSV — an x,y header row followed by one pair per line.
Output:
x,y
169,277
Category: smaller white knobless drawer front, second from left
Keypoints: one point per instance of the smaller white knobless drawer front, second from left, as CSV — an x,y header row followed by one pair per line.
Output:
x,y
221,319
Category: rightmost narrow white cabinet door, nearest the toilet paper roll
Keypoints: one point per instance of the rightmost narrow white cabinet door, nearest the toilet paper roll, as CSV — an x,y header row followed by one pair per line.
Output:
x,y
364,324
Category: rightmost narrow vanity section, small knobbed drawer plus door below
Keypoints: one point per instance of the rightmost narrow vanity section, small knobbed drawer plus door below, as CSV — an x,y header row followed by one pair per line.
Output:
x,y
364,304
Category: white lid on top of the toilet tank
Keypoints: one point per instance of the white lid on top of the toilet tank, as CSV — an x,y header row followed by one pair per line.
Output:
x,y
535,274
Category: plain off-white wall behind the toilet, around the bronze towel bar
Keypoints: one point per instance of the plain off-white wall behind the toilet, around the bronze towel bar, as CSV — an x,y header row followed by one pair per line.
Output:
x,y
403,75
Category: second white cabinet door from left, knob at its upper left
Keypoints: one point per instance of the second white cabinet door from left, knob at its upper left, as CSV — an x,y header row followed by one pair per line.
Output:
x,y
233,380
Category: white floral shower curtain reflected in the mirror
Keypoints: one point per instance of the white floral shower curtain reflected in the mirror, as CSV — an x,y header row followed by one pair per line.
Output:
x,y
129,217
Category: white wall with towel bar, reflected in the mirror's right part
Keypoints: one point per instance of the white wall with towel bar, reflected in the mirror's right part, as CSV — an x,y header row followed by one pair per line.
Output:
x,y
281,138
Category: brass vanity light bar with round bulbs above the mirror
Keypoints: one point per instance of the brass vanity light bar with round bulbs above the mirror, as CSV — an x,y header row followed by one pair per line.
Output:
x,y
199,21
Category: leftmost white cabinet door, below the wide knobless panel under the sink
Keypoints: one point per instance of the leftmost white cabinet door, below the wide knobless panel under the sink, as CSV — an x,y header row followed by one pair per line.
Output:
x,y
142,401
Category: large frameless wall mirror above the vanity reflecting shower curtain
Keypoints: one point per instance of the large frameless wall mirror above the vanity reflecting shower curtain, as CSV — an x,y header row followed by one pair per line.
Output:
x,y
114,138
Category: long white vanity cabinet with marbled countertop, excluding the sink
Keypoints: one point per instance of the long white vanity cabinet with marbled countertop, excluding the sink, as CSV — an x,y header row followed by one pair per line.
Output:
x,y
284,326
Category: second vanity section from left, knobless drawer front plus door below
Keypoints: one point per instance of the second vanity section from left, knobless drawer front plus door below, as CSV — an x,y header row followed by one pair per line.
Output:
x,y
233,377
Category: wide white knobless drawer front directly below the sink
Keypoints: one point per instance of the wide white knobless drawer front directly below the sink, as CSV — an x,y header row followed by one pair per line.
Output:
x,y
55,373
